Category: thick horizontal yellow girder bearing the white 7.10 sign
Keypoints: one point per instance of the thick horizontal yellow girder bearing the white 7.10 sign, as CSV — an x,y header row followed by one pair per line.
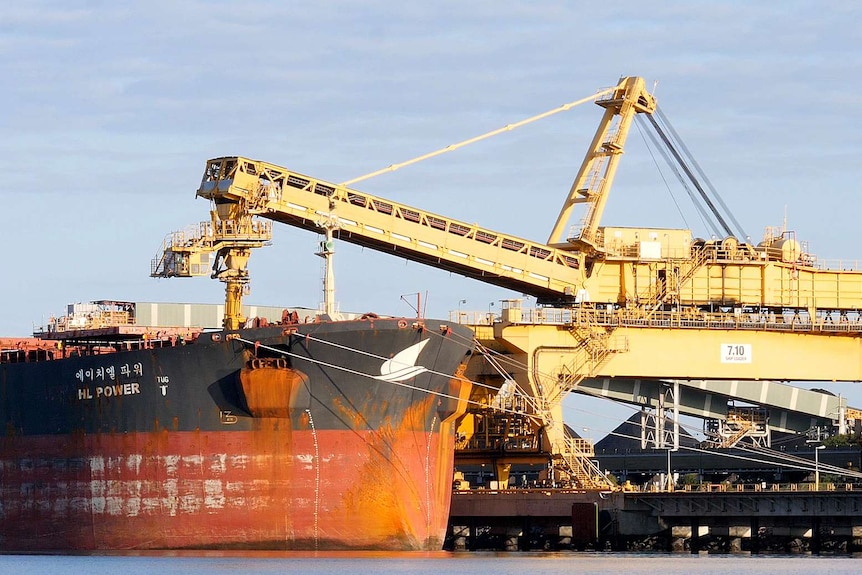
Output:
x,y
673,351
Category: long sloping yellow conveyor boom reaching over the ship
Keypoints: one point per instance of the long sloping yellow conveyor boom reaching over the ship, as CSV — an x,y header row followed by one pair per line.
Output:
x,y
282,195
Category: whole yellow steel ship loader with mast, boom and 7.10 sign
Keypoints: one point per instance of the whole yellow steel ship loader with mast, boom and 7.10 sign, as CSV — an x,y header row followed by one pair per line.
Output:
x,y
627,300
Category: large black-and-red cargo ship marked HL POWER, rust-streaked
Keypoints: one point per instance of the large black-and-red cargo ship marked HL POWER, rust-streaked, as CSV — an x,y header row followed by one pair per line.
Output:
x,y
285,435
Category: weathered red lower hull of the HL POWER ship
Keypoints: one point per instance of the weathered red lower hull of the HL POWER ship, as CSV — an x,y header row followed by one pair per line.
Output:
x,y
272,488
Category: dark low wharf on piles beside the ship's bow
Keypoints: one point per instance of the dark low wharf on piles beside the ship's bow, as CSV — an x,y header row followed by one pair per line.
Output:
x,y
718,518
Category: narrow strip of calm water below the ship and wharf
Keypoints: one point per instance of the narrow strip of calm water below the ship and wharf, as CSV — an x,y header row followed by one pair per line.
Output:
x,y
425,564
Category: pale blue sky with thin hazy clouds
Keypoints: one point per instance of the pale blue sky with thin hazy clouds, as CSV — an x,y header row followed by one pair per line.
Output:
x,y
109,111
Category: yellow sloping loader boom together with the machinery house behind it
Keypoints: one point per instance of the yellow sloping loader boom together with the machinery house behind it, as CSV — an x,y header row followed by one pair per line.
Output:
x,y
649,268
